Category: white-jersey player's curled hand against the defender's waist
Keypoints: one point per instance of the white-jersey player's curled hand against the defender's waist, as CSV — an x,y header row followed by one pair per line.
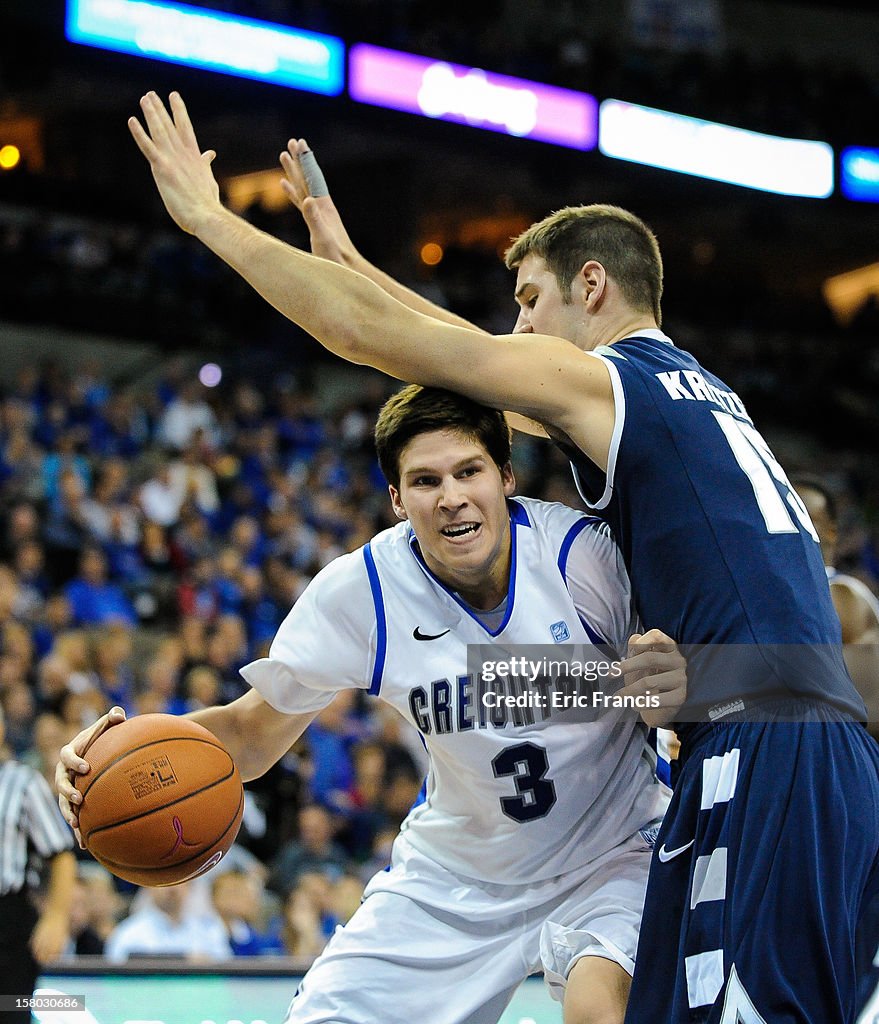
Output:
x,y
655,667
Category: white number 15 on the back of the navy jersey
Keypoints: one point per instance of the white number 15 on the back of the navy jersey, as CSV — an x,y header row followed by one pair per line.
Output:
x,y
767,478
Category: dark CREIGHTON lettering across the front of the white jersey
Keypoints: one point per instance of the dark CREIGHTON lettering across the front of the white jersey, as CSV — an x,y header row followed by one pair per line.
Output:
x,y
444,707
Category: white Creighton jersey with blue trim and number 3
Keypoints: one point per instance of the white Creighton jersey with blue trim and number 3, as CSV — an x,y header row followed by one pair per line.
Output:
x,y
514,795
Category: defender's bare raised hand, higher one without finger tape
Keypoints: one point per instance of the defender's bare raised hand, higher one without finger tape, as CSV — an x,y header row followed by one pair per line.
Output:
x,y
183,173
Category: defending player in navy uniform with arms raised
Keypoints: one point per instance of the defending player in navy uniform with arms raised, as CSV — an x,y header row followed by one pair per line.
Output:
x,y
770,848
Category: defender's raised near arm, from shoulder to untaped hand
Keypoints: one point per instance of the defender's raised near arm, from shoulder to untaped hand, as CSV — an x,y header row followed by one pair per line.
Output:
x,y
546,379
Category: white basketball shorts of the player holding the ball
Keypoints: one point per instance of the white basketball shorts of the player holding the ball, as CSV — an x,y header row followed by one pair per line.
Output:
x,y
433,948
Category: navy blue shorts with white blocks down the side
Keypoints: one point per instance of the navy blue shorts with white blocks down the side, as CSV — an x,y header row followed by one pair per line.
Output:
x,y
762,875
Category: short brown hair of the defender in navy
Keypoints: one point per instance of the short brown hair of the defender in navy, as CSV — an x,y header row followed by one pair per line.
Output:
x,y
618,240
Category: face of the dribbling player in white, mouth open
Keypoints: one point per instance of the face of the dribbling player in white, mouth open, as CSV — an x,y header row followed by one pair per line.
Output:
x,y
454,496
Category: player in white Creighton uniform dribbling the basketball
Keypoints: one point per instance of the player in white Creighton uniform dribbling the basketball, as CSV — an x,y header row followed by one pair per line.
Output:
x,y
533,844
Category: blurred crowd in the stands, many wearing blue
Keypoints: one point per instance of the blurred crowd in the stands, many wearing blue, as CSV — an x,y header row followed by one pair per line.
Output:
x,y
152,540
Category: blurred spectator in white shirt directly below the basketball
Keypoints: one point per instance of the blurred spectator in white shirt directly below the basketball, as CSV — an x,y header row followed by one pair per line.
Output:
x,y
162,926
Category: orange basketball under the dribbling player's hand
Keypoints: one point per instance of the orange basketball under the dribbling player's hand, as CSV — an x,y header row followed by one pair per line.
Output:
x,y
163,800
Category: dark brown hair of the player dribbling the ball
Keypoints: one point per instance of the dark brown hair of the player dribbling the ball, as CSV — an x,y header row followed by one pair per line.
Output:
x,y
415,410
